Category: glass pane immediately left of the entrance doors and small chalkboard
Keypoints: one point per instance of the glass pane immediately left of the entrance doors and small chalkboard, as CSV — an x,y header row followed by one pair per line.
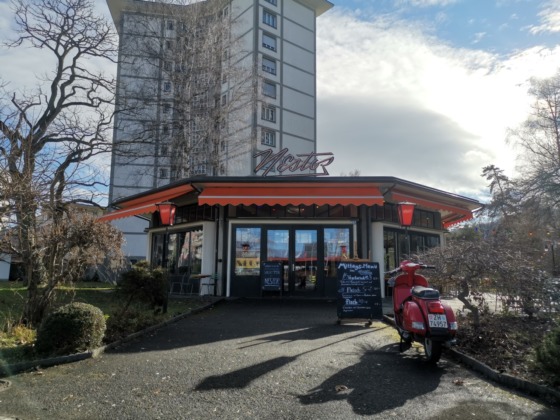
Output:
x,y
247,251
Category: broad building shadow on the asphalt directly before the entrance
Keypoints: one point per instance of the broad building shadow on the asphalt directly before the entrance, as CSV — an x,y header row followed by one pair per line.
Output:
x,y
258,321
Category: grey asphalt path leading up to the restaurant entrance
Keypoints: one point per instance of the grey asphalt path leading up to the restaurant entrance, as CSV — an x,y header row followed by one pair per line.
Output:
x,y
251,359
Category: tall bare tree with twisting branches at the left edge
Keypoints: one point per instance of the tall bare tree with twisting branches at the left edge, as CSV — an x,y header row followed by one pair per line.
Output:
x,y
50,138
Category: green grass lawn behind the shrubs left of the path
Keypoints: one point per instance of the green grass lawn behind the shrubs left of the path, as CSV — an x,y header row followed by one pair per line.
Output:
x,y
16,343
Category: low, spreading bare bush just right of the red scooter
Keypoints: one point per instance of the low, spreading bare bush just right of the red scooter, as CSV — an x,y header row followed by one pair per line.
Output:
x,y
476,266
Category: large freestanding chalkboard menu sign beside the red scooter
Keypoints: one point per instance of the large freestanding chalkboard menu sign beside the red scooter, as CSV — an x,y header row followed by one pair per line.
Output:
x,y
359,290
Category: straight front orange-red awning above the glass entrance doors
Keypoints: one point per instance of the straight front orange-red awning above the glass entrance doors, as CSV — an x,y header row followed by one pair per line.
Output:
x,y
308,194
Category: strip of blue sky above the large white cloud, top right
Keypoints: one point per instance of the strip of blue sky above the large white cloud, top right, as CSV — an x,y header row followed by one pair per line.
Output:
x,y
497,26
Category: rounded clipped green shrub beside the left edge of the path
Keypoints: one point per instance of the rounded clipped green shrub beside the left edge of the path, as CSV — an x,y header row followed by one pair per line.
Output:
x,y
72,328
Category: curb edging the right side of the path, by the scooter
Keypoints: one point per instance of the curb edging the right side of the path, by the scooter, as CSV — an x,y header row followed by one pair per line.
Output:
x,y
547,394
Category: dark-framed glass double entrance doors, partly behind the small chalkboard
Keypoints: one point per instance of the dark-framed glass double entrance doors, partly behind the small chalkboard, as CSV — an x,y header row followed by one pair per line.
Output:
x,y
297,249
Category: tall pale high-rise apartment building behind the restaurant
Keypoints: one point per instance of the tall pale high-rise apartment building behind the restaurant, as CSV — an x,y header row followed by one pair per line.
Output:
x,y
204,87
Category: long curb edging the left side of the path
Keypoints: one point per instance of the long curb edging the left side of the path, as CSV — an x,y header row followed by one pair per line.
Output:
x,y
9,370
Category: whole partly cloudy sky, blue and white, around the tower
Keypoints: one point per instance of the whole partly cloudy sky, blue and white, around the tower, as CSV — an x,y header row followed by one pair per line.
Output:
x,y
424,90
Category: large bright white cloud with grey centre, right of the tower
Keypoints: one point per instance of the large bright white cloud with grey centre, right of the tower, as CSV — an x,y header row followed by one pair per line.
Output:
x,y
394,101
